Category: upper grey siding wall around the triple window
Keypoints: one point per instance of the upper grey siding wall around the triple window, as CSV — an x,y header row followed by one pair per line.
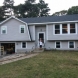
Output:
x,y
52,36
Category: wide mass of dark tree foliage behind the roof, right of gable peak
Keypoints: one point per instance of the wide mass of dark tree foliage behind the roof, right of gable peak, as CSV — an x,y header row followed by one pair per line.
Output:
x,y
32,9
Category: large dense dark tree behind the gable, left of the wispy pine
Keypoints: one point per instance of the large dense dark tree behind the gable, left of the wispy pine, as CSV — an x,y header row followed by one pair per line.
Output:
x,y
28,9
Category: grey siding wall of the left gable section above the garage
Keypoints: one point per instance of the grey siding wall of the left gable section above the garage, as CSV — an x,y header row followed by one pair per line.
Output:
x,y
13,33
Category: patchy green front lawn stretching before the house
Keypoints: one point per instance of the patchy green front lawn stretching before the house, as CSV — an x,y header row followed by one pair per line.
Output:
x,y
55,64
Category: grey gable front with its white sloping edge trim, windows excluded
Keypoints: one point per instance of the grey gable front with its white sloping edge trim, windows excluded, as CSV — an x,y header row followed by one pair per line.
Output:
x,y
13,27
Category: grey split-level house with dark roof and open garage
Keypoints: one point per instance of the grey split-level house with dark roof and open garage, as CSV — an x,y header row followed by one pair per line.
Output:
x,y
57,32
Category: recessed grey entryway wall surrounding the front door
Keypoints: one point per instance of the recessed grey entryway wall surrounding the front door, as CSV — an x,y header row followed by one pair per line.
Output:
x,y
37,30
